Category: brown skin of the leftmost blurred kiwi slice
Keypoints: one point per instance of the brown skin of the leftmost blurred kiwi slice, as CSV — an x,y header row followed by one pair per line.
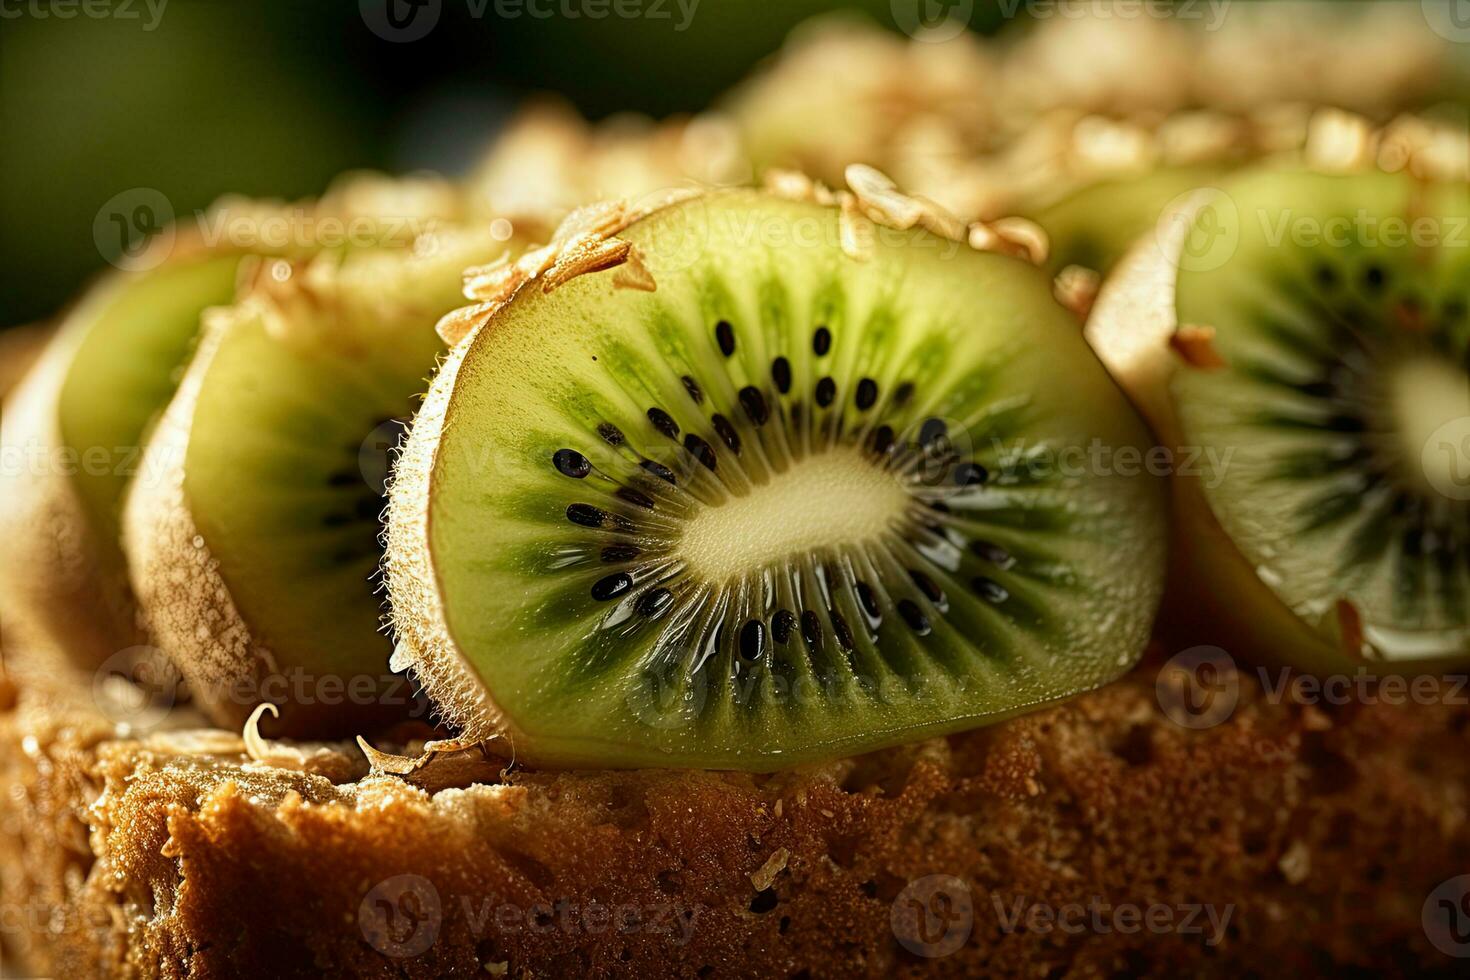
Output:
x,y
58,588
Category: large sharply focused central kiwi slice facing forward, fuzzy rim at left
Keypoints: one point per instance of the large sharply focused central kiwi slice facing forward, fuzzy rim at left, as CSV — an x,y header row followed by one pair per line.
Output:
x,y
789,506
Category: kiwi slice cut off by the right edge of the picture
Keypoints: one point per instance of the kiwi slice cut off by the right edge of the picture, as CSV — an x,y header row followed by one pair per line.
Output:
x,y
1303,340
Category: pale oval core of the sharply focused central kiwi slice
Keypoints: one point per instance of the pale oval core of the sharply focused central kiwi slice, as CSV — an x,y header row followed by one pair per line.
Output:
x,y
822,502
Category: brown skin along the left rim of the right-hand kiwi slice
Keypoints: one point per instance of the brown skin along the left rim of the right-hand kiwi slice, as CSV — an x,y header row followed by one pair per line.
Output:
x,y
1213,594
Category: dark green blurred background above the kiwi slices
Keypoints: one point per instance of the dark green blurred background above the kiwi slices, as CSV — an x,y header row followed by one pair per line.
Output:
x,y
274,98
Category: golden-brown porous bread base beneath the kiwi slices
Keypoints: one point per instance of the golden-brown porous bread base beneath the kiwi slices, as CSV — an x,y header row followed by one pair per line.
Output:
x,y
1325,828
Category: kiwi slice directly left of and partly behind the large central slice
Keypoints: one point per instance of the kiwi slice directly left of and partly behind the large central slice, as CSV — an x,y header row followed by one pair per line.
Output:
x,y
255,546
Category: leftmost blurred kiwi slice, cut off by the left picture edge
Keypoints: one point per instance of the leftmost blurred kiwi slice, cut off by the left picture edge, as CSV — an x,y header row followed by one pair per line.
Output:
x,y
79,422
